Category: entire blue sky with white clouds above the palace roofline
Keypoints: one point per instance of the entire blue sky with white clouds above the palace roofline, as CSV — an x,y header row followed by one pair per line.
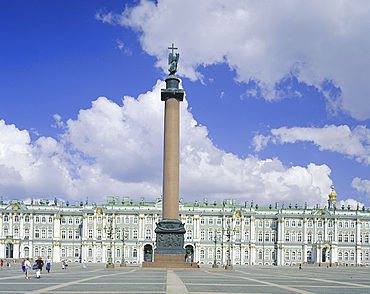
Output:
x,y
277,106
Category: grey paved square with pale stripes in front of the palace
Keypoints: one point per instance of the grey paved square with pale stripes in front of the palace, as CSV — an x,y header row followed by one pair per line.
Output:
x,y
97,279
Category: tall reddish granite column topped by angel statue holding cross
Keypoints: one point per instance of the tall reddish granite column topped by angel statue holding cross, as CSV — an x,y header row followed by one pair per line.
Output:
x,y
170,230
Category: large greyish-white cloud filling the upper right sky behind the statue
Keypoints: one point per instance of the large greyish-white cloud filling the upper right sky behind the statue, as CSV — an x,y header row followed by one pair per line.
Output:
x,y
264,41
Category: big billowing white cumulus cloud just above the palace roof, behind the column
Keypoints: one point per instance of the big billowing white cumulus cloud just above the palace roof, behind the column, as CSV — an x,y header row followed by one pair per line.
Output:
x,y
112,149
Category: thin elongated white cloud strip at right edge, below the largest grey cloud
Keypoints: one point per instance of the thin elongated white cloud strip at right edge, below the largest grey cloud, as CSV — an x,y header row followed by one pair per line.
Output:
x,y
352,143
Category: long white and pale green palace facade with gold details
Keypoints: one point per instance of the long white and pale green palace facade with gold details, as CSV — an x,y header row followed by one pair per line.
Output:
x,y
247,234
